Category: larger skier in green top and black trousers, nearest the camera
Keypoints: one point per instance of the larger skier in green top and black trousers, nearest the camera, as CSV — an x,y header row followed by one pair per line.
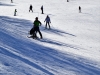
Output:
x,y
36,29
